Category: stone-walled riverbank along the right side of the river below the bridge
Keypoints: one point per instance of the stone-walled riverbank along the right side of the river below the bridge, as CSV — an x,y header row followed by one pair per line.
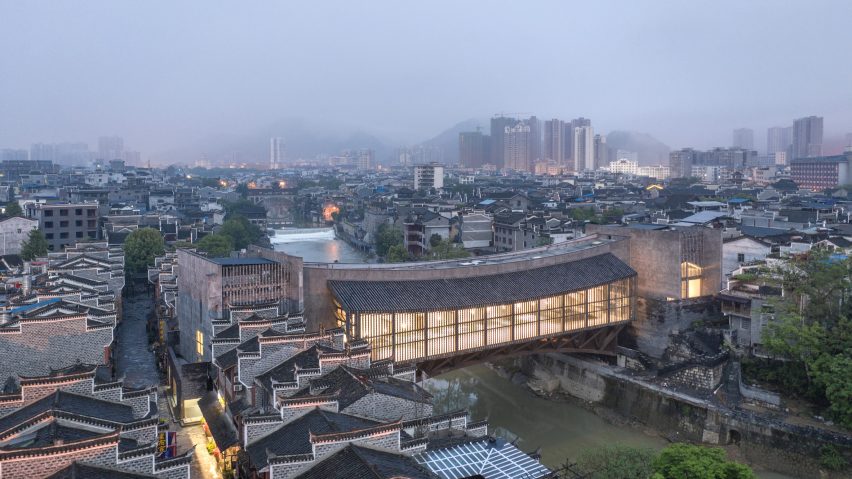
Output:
x,y
764,443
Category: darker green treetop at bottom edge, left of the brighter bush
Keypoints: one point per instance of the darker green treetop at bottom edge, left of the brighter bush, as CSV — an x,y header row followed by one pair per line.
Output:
x,y
616,462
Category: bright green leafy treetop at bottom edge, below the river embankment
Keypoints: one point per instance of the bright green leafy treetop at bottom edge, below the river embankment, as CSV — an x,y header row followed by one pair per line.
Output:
x,y
679,461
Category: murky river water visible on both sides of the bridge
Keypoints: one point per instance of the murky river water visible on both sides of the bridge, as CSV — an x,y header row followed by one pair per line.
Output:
x,y
560,429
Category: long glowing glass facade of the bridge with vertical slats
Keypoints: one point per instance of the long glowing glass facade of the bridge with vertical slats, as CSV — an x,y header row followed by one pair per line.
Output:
x,y
415,335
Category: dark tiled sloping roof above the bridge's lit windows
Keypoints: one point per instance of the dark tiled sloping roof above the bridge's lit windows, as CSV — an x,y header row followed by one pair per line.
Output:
x,y
422,295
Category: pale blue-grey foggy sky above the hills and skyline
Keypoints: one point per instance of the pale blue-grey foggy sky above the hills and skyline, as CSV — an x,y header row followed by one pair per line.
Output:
x,y
170,74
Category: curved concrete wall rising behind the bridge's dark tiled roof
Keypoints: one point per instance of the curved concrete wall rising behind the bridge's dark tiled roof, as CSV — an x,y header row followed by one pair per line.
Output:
x,y
318,300
